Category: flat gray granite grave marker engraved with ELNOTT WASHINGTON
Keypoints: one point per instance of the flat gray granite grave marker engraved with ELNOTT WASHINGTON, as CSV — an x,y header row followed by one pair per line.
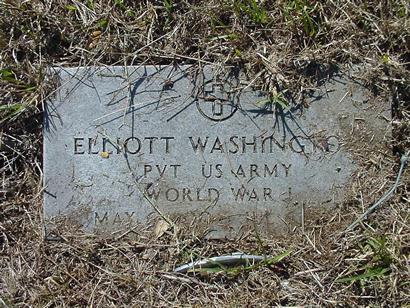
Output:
x,y
124,146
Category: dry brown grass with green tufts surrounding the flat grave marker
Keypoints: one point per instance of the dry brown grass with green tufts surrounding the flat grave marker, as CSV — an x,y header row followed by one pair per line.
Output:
x,y
281,45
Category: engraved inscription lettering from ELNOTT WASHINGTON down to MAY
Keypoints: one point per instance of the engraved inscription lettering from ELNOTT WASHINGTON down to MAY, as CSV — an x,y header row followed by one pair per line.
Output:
x,y
220,147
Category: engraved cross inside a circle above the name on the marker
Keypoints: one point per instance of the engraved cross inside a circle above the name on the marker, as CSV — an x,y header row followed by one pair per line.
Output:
x,y
219,101
